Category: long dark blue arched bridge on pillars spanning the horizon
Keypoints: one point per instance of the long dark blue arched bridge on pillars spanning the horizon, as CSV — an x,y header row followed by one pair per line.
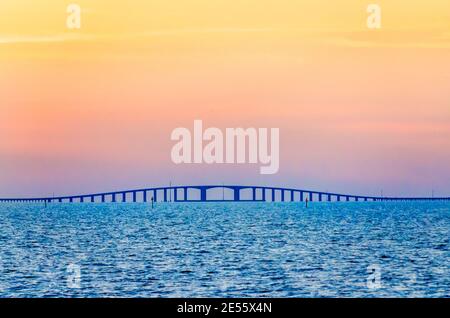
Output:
x,y
199,193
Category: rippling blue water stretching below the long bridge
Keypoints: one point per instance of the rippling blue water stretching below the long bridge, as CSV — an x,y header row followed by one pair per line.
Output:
x,y
225,250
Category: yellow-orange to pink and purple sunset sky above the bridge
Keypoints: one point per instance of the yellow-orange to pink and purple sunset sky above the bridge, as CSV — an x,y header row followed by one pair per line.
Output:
x,y
92,109
